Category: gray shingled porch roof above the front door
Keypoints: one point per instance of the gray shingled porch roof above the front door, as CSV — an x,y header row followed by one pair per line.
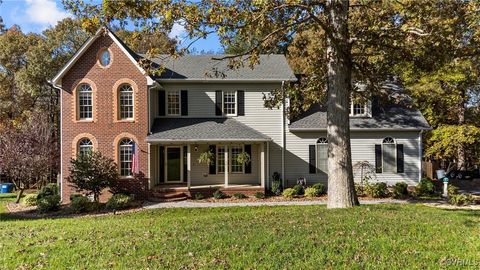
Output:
x,y
203,129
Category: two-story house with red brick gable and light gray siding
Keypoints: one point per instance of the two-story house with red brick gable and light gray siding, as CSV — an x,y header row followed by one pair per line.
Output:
x,y
161,125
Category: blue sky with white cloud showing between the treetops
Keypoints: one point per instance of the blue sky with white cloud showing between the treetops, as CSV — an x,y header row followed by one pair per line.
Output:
x,y
37,15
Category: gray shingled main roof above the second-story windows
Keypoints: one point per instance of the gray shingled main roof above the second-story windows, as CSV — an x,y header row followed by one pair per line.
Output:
x,y
205,68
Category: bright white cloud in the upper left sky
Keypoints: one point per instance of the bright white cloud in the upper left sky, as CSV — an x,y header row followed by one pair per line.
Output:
x,y
44,12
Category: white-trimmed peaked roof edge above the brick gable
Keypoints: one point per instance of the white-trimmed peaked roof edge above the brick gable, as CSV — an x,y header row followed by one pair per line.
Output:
x,y
56,81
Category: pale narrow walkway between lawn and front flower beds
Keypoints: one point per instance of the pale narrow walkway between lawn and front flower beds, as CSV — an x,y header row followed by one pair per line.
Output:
x,y
190,204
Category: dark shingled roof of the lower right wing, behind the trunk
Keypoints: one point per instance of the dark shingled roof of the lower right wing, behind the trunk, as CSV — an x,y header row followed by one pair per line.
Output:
x,y
391,116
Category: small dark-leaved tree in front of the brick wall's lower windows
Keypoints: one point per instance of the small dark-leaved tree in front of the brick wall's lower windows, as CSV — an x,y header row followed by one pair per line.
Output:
x,y
92,173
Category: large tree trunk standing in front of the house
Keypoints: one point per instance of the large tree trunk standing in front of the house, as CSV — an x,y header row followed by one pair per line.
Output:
x,y
341,189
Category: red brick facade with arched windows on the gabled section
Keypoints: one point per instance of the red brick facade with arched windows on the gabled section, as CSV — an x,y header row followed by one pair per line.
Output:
x,y
105,129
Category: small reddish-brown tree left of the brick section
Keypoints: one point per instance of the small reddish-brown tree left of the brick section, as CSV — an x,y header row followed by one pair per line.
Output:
x,y
26,153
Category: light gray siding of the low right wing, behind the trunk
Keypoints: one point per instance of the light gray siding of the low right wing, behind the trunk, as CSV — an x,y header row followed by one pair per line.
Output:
x,y
363,149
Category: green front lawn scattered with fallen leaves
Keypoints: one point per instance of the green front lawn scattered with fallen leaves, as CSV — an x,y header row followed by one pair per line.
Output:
x,y
293,237
